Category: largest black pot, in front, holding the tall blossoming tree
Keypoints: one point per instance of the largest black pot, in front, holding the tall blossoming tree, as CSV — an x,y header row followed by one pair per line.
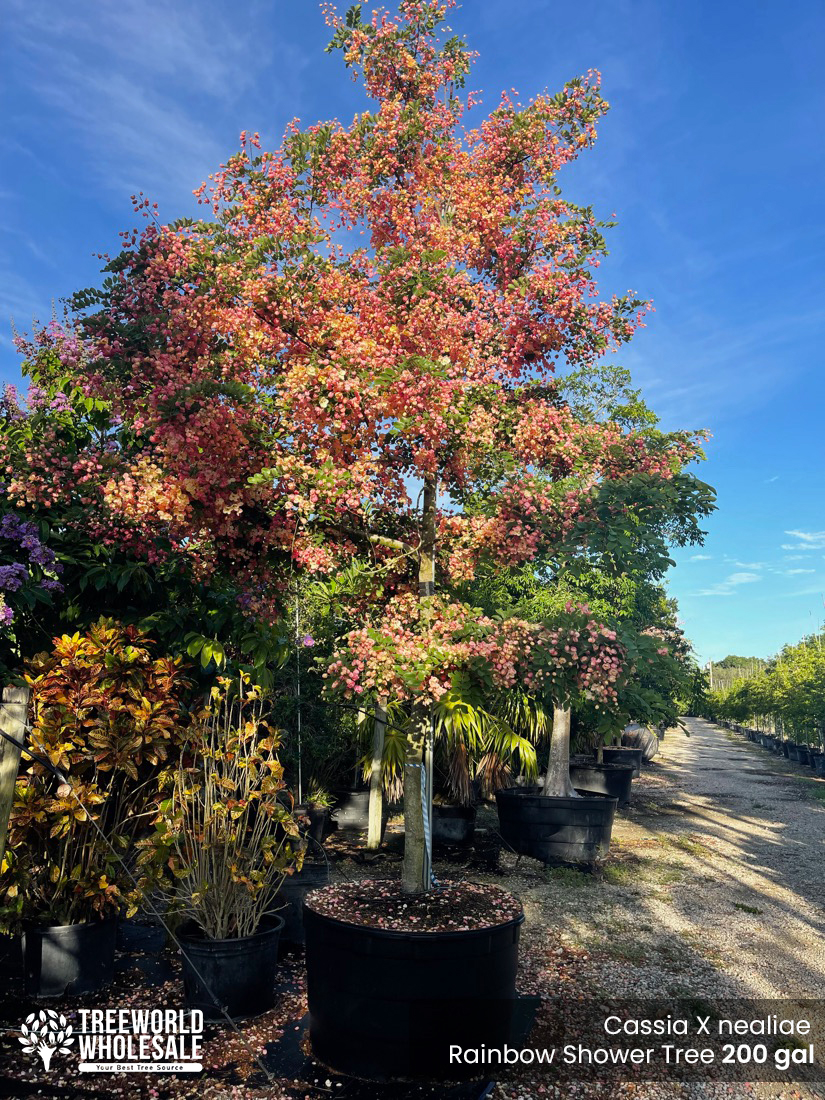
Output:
x,y
387,1006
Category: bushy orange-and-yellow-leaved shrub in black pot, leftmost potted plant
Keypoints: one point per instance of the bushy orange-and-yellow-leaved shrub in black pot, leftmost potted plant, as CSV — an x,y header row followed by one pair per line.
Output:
x,y
108,717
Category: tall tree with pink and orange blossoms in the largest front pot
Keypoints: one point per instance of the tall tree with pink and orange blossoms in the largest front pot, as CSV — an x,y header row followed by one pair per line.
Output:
x,y
355,356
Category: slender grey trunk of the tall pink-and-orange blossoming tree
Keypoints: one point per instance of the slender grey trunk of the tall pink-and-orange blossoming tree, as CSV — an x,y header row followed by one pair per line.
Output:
x,y
416,868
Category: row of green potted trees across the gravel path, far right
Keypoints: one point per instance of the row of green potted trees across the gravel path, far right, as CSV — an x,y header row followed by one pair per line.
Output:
x,y
787,697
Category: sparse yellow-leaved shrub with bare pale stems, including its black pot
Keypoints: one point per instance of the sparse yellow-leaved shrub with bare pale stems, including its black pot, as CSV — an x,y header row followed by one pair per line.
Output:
x,y
223,845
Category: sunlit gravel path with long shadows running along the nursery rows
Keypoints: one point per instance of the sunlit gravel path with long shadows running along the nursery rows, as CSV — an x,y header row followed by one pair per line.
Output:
x,y
761,904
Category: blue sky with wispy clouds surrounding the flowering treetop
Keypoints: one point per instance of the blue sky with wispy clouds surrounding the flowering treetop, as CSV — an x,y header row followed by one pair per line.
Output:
x,y
712,160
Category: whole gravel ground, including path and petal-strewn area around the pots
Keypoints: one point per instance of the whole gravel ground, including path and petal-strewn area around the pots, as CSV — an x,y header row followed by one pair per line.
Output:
x,y
713,889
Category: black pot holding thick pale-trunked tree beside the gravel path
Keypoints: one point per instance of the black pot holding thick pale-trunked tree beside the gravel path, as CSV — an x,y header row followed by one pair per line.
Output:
x,y
556,830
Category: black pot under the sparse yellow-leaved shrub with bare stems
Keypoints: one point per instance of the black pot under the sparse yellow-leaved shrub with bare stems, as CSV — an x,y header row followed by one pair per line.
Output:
x,y
234,976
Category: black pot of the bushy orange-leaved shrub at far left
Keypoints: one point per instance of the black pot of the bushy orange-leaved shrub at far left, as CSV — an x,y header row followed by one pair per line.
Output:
x,y
63,960
